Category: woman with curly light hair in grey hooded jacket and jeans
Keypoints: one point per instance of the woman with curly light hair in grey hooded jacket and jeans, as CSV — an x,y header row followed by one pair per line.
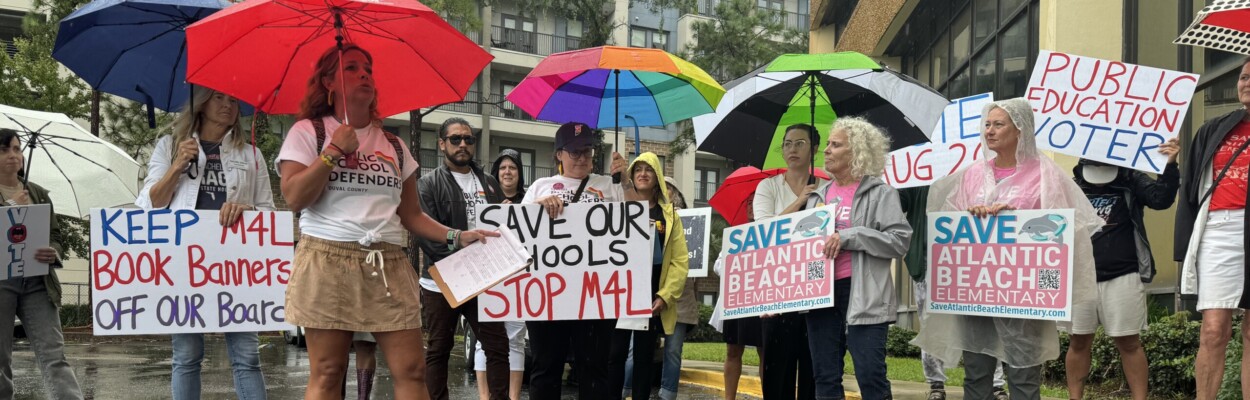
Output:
x,y
871,232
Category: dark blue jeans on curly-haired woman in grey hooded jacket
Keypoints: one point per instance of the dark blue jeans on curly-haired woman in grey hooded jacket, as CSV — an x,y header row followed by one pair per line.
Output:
x,y
831,338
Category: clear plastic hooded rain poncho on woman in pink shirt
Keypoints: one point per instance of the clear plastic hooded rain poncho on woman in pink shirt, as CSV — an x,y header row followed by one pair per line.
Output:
x,y
1038,183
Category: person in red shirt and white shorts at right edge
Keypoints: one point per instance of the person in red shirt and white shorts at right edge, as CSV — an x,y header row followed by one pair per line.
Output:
x,y
1211,234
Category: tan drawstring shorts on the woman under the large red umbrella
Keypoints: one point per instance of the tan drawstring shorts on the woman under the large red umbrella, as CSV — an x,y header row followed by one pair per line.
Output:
x,y
332,287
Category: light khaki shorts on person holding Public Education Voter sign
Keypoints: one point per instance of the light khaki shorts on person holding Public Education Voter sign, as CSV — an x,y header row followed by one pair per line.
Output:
x,y
1121,309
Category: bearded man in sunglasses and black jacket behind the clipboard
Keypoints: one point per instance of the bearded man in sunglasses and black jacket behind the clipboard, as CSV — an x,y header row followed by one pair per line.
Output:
x,y
451,196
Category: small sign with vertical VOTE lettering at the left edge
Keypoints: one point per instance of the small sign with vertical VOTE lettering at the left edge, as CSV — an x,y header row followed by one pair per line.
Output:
x,y
27,229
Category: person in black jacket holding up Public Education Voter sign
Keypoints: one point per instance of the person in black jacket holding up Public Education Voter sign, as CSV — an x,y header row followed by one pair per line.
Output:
x,y
1123,264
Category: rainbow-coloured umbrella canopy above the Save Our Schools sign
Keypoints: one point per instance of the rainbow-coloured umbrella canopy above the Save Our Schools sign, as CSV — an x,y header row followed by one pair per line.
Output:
x,y
603,87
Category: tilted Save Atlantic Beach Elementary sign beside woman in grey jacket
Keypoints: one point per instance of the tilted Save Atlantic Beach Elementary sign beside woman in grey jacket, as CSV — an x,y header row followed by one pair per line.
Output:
x,y
776,266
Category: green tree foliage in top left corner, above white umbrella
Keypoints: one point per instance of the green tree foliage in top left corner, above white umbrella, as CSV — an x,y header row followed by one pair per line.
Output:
x,y
32,79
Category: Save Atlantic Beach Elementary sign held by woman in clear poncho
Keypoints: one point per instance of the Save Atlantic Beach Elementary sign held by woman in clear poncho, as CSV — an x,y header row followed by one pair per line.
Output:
x,y
1016,264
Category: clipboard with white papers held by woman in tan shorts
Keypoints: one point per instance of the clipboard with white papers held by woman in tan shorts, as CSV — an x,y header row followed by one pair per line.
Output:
x,y
466,274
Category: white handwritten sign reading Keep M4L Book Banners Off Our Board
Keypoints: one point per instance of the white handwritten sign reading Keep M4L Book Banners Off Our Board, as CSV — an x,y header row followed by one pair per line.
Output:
x,y
179,272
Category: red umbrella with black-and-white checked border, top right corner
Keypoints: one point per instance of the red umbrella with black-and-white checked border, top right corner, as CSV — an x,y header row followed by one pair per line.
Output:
x,y
1223,26
